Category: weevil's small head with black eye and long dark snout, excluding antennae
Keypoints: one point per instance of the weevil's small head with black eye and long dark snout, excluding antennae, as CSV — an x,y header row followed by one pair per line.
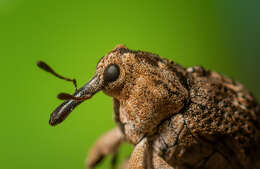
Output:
x,y
109,77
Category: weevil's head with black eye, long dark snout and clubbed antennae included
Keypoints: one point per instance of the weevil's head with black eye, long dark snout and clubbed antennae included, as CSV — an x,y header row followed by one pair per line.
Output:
x,y
108,76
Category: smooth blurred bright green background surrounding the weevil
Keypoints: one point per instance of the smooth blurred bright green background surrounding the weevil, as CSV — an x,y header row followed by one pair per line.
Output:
x,y
72,35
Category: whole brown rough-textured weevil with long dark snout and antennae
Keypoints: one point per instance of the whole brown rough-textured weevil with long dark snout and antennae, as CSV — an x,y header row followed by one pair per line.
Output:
x,y
176,117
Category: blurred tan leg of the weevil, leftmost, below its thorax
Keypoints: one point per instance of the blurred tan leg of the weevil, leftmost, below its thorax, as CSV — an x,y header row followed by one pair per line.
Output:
x,y
106,144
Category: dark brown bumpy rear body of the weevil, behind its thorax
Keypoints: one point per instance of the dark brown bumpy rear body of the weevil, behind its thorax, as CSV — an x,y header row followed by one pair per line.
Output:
x,y
219,127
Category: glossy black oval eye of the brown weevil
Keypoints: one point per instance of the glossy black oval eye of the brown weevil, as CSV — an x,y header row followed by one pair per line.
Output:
x,y
111,73
